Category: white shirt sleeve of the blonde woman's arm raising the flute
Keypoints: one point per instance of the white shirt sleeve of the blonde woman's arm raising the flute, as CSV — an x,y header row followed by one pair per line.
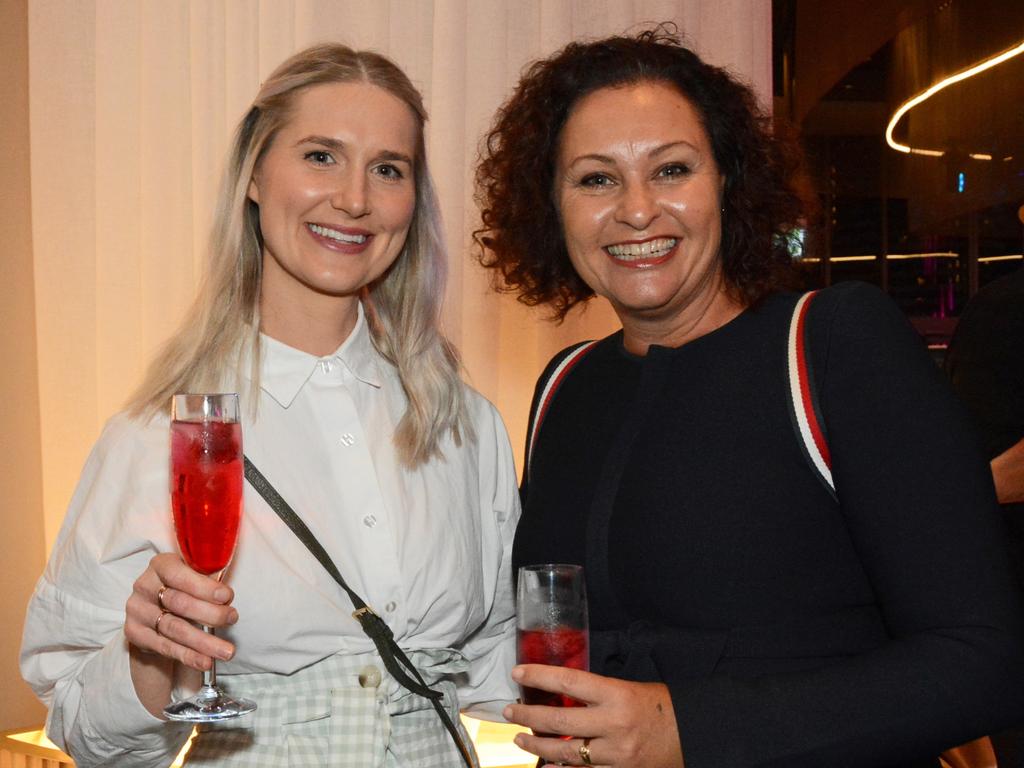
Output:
x,y
74,653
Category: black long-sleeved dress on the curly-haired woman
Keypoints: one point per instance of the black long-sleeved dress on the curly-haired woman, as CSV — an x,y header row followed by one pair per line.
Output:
x,y
792,630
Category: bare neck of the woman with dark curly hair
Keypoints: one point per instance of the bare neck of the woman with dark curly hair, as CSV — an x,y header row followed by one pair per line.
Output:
x,y
708,313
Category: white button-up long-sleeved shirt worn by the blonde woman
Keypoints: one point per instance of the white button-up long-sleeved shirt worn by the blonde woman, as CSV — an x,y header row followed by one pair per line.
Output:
x,y
429,549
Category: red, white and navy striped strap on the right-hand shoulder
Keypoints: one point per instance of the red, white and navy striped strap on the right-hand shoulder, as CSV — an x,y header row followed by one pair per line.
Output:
x,y
804,409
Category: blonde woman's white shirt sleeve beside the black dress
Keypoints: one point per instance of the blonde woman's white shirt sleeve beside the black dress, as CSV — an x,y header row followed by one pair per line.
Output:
x,y
486,690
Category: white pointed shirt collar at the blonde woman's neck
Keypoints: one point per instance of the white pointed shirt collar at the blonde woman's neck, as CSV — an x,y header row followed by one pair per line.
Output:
x,y
285,370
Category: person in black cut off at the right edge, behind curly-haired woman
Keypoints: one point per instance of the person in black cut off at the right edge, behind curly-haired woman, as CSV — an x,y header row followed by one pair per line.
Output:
x,y
986,363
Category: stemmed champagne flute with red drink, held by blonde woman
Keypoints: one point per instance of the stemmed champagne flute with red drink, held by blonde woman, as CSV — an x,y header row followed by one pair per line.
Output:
x,y
206,499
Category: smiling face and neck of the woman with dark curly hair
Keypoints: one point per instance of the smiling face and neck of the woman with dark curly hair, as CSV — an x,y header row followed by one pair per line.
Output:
x,y
639,196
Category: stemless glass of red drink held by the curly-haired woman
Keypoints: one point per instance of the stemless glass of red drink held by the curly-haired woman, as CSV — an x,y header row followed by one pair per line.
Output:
x,y
552,626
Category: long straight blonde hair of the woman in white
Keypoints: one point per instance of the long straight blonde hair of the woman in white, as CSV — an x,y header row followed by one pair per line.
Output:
x,y
403,308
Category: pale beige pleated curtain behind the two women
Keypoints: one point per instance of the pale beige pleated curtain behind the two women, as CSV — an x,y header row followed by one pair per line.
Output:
x,y
132,107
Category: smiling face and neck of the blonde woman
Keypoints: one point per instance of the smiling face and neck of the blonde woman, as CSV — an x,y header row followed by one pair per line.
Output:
x,y
336,195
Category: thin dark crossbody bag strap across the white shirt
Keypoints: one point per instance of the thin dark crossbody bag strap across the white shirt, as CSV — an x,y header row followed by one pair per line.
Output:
x,y
375,628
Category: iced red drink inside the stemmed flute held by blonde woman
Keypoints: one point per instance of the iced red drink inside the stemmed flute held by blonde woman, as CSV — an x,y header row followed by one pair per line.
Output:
x,y
206,492
